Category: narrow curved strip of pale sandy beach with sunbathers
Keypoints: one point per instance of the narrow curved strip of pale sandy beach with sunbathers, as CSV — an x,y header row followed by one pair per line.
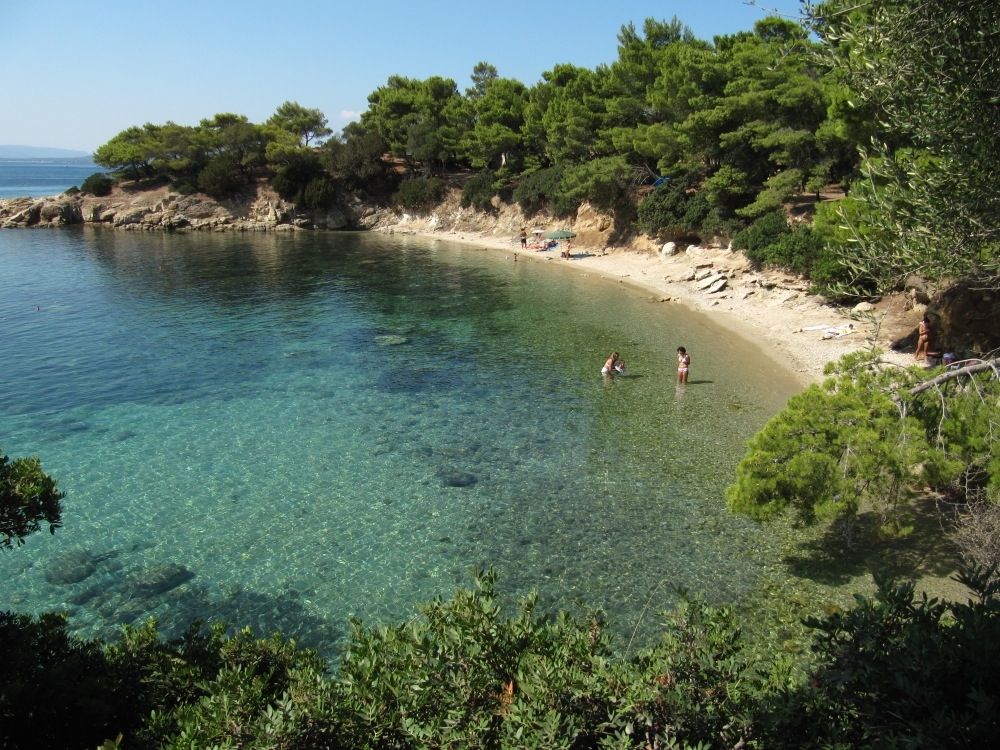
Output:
x,y
774,310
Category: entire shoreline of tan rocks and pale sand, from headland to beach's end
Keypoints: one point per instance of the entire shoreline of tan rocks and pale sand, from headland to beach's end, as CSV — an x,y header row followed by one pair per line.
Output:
x,y
801,330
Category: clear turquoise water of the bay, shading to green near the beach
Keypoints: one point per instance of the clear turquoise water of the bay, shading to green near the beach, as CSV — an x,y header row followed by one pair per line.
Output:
x,y
290,430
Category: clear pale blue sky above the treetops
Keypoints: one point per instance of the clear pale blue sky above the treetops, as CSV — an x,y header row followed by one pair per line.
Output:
x,y
77,73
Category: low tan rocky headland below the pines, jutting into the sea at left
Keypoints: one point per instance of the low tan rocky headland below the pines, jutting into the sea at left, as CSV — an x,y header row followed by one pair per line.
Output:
x,y
160,208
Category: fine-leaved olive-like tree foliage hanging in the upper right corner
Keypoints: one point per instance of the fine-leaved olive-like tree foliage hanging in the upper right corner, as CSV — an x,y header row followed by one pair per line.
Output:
x,y
926,73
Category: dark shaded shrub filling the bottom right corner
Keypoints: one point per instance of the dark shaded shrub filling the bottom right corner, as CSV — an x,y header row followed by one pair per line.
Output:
x,y
895,672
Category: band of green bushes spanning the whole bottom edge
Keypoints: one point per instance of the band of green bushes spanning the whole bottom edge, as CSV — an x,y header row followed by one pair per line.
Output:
x,y
893,672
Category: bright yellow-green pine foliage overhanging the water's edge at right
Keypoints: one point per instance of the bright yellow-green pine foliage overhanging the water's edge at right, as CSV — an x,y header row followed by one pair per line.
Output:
x,y
875,436
